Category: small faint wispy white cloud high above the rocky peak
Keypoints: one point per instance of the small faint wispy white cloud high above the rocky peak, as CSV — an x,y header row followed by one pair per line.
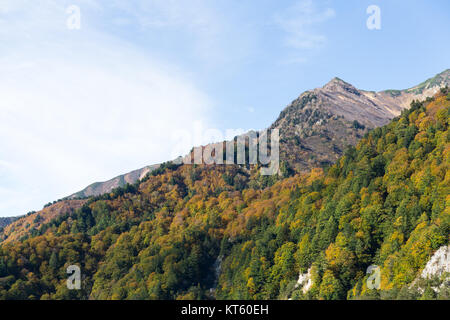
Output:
x,y
300,21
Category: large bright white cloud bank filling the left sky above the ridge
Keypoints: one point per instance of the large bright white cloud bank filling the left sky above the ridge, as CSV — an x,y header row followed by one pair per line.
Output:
x,y
80,106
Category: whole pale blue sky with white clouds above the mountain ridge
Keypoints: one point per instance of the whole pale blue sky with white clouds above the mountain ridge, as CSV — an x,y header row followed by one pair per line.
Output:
x,y
84,105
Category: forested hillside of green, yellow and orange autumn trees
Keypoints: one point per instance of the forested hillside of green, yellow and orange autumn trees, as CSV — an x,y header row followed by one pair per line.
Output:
x,y
224,232
